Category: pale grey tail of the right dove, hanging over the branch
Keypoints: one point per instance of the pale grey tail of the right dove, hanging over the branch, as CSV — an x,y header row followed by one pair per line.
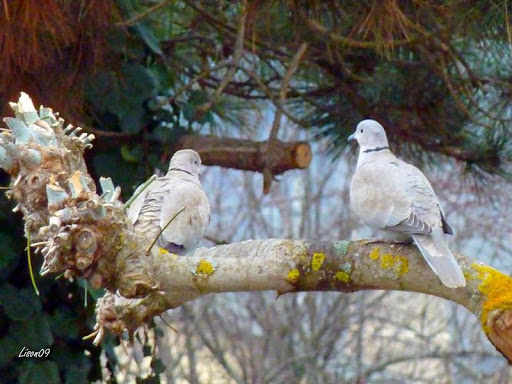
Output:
x,y
440,258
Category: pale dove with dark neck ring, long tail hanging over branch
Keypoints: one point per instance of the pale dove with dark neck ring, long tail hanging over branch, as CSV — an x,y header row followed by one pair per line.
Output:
x,y
389,194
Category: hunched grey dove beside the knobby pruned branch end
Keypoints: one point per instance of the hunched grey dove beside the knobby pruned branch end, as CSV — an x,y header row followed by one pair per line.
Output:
x,y
179,189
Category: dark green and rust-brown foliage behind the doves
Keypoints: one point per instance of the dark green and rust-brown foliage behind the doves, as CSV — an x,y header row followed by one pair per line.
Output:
x,y
139,74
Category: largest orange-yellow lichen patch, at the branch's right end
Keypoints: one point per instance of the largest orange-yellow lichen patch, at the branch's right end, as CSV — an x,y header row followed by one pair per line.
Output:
x,y
497,290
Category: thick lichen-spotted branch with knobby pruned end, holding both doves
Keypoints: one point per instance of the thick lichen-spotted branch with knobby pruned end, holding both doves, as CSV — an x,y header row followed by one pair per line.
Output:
x,y
85,234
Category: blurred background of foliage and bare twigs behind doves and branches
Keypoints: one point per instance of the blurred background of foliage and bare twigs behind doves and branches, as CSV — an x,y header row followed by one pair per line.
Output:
x,y
142,75
